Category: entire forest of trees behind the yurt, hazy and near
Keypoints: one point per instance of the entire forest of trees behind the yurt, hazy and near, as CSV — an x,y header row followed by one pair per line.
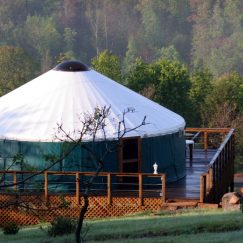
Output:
x,y
186,55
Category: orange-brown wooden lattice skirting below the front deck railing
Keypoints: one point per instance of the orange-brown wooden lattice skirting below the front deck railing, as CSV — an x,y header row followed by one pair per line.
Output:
x,y
33,209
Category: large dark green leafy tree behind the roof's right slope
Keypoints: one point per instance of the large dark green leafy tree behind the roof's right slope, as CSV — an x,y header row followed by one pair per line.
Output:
x,y
166,82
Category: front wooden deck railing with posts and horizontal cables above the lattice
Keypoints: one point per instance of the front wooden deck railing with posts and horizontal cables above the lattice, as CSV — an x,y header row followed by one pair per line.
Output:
x,y
139,185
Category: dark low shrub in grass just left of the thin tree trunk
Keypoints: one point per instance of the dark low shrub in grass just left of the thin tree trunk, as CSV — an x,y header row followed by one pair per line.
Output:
x,y
62,226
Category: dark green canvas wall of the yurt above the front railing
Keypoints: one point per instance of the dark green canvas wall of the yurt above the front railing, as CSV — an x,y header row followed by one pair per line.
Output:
x,y
167,151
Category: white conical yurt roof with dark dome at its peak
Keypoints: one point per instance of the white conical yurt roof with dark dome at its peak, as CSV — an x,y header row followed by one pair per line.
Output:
x,y
62,95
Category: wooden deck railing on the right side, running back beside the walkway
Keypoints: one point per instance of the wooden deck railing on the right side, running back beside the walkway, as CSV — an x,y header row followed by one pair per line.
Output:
x,y
219,178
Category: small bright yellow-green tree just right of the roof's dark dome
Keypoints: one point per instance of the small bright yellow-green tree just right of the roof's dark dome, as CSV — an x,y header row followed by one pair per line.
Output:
x,y
107,64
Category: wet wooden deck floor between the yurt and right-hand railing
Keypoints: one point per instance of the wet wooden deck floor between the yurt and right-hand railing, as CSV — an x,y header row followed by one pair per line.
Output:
x,y
188,188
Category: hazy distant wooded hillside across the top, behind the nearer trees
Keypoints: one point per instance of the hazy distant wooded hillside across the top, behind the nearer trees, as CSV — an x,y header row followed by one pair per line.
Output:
x,y
199,33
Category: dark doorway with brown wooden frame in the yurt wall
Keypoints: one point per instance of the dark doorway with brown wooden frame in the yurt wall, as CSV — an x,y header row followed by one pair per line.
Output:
x,y
130,155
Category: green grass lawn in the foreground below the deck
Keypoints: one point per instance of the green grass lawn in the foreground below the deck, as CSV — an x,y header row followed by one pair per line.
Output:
x,y
181,226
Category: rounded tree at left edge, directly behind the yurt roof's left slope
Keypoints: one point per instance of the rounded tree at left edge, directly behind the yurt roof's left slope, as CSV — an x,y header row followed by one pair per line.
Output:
x,y
16,66
